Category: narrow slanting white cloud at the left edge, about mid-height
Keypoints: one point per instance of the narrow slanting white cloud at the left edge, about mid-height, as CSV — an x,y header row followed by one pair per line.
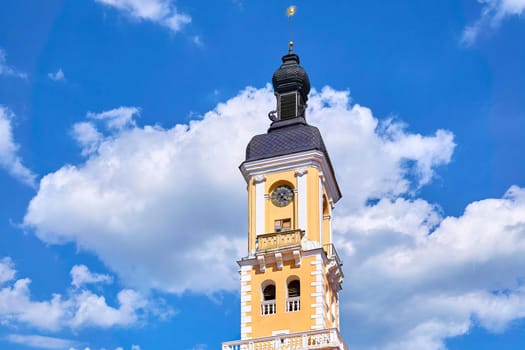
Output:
x,y
9,158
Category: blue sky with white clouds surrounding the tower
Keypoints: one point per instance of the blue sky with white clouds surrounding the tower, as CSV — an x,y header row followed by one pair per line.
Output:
x,y
122,123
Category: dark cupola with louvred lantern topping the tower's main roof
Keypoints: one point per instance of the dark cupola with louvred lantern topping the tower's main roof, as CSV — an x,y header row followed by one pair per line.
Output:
x,y
291,86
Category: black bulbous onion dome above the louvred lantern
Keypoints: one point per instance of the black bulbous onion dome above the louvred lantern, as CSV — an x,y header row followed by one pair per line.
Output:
x,y
290,76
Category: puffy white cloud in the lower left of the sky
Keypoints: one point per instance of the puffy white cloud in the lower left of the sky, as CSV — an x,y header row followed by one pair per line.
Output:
x,y
82,308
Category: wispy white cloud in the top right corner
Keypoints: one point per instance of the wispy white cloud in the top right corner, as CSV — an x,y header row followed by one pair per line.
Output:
x,y
492,13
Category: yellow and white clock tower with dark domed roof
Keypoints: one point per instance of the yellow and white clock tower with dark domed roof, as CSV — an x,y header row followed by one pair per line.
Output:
x,y
291,275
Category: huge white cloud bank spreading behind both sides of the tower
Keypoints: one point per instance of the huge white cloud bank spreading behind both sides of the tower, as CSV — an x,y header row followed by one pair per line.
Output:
x,y
173,198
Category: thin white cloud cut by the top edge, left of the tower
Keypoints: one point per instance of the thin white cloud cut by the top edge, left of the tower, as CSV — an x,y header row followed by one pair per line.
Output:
x,y
162,12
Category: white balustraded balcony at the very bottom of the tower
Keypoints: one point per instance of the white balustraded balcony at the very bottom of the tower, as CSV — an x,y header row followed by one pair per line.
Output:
x,y
318,339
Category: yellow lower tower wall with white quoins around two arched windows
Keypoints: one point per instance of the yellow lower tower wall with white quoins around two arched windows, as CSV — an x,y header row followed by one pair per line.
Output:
x,y
315,299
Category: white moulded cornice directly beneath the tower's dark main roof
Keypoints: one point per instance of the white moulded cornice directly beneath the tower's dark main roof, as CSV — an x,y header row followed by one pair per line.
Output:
x,y
294,161
